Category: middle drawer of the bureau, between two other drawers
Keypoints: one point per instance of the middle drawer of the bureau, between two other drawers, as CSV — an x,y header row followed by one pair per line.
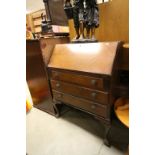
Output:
x,y
82,92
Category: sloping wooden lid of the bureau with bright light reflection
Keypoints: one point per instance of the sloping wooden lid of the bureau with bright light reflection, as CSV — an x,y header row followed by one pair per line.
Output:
x,y
87,57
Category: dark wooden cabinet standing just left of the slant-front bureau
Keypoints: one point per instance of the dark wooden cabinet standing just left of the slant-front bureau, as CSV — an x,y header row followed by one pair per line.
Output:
x,y
38,53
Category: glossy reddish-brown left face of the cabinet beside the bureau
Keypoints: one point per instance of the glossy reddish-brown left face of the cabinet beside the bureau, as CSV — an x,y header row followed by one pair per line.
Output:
x,y
36,76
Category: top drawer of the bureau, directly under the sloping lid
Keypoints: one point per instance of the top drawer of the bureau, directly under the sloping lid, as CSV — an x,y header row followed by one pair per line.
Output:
x,y
83,80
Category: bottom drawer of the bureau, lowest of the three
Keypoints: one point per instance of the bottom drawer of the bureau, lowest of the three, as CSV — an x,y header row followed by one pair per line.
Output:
x,y
100,110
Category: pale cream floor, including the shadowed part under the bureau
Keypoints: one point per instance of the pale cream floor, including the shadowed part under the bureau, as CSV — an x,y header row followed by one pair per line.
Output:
x,y
73,134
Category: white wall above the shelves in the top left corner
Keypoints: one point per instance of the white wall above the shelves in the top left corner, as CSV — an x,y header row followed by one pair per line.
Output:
x,y
34,5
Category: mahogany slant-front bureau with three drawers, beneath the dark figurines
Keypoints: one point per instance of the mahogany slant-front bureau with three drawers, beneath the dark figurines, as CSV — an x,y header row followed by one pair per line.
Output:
x,y
83,76
